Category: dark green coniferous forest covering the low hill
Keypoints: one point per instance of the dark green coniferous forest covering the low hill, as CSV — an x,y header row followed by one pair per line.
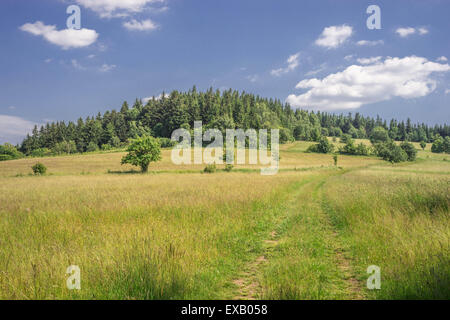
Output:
x,y
159,117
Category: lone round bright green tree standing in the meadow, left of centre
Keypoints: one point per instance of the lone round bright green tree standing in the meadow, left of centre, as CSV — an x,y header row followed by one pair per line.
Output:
x,y
142,151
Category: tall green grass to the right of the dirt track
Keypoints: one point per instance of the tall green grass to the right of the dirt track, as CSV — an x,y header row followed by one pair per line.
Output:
x,y
400,222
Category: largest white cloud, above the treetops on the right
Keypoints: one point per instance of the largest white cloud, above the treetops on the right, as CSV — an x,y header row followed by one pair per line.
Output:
x,y
407,77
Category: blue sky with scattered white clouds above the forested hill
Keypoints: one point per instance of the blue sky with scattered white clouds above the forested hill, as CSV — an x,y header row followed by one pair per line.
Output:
x,y
315,55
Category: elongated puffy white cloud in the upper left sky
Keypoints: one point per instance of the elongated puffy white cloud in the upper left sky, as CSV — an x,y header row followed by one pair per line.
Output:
x,y
66,38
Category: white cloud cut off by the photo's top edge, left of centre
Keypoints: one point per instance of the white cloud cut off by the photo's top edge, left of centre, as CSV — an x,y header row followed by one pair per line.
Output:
x,y
118,8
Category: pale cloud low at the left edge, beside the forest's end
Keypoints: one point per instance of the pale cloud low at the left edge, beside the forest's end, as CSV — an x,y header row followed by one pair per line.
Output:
x,y
14,129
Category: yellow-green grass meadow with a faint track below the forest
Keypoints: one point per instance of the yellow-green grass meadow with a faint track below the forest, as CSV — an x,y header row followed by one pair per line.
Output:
x,y
309,232
